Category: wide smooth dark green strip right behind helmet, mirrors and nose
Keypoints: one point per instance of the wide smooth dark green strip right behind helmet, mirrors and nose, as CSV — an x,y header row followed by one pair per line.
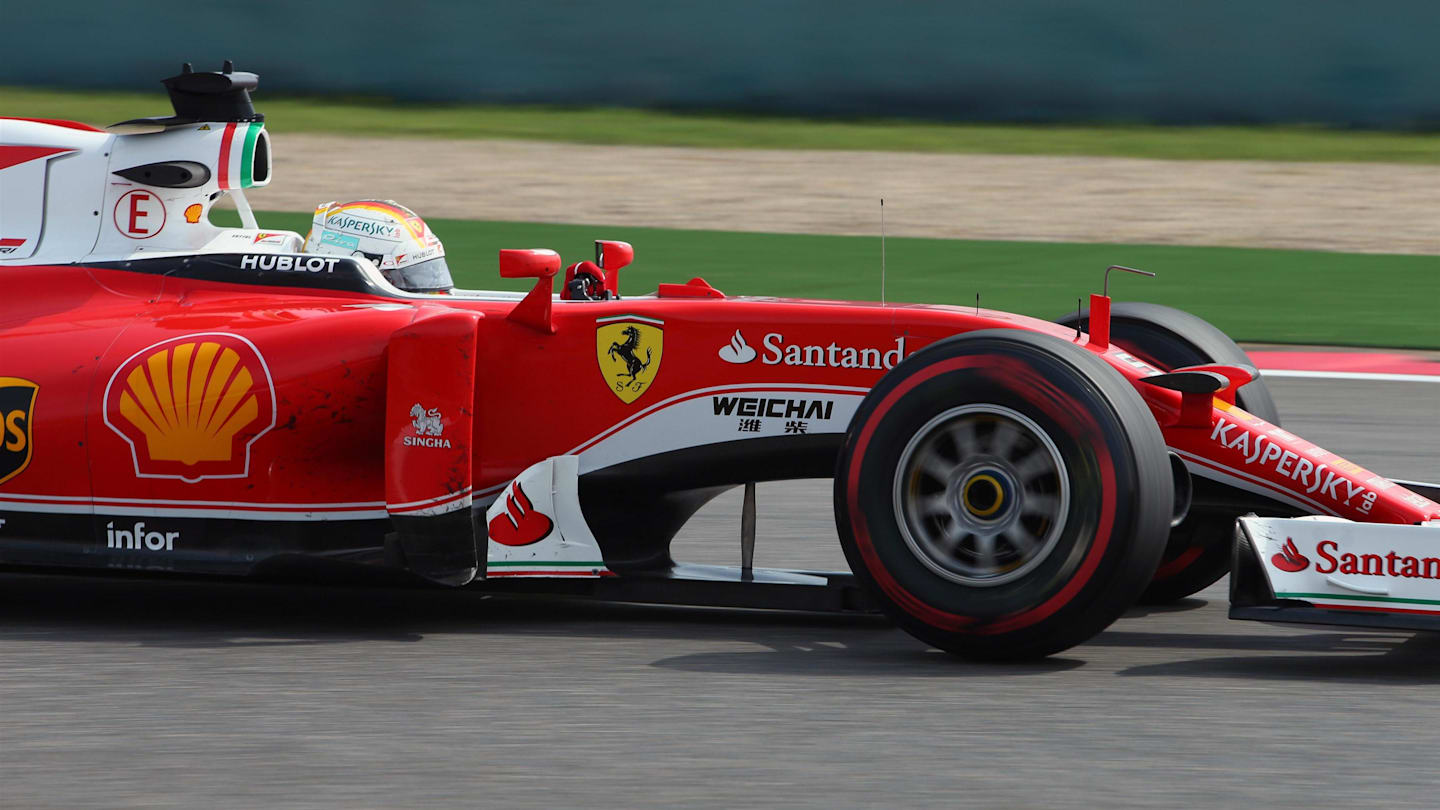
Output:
x,y
1252,295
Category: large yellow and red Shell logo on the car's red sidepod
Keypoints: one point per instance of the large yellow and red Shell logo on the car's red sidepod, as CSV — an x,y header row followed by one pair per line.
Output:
x,y
192,407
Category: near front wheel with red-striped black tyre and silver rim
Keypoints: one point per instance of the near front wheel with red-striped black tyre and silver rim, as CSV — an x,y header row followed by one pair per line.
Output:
x,y
1004,495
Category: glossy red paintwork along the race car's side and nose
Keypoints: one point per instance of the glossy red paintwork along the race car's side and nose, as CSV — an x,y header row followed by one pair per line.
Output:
x,y
538,394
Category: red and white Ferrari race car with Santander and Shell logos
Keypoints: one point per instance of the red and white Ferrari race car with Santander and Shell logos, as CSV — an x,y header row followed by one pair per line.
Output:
x,y
178,397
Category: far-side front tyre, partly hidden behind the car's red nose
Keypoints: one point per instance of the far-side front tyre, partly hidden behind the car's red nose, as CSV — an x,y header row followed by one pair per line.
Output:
x,y
1199,550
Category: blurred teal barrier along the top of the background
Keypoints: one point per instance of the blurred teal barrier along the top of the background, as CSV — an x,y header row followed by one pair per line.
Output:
x,y
1372,64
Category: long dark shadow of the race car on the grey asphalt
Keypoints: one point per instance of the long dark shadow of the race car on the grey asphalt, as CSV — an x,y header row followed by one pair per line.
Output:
x,y
218,615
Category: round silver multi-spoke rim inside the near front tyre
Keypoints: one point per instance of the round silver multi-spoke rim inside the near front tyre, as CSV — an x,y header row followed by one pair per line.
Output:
x,y
981,495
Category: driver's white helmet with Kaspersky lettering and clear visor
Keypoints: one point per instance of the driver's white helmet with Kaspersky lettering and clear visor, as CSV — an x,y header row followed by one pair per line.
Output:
x,y
388,234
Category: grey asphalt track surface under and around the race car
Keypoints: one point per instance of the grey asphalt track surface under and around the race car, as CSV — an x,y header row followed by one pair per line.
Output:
x,y
152,694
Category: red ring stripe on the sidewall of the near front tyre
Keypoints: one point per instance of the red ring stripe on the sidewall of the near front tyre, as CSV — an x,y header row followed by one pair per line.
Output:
x,y
914,605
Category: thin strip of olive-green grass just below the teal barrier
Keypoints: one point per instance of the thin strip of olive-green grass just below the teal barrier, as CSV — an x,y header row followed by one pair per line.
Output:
x,y
603,126
